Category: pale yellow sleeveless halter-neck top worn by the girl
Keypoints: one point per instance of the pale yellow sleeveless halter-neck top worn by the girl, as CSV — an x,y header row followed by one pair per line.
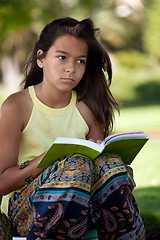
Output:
x,y
46,124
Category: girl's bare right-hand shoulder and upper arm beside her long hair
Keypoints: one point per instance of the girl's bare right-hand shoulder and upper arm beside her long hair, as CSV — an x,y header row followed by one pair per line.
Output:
x,y
95,127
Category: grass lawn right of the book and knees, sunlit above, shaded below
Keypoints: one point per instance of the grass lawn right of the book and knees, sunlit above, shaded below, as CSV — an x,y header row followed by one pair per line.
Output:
x,y
146,165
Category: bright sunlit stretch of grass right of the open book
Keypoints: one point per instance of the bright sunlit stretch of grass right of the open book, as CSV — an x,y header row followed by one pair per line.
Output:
x,y
146,165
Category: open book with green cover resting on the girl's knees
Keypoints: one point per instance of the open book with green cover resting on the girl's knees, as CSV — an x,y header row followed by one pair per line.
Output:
x,y
126,144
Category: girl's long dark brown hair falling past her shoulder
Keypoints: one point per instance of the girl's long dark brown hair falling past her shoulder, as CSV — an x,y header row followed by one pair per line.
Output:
x,y
93,88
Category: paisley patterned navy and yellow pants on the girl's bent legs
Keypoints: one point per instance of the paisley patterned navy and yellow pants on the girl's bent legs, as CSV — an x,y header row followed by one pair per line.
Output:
x,y
76,194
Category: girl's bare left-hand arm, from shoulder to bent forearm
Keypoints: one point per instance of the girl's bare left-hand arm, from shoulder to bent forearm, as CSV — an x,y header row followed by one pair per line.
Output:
x,y
11,125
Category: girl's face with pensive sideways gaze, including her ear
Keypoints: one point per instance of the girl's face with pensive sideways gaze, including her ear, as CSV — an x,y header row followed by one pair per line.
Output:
x,y
65,63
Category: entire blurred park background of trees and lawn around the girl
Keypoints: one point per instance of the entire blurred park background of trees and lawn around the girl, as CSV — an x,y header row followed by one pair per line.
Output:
x,y
130,31
